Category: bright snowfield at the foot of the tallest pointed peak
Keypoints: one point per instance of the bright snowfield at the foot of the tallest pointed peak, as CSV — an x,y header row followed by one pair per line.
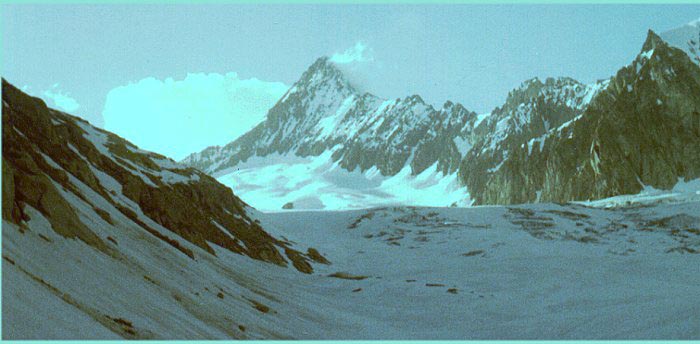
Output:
x,y
320,183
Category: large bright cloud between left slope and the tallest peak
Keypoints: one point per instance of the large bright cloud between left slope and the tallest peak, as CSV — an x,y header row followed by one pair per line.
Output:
x,y
179,117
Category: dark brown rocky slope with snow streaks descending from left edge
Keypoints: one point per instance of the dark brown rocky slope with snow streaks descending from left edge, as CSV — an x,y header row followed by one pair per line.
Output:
x,y
47,153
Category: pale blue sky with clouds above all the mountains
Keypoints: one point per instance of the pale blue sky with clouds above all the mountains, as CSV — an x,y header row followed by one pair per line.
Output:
x,y
176,78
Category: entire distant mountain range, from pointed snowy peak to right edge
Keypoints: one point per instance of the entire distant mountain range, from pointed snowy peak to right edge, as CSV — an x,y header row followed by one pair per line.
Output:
x,y
327,145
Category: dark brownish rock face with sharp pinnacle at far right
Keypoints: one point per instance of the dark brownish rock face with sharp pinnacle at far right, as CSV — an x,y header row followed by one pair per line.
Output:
x,y
643,128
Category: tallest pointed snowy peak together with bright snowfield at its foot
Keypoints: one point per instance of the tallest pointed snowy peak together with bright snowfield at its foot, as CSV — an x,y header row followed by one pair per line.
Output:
x,y
324,124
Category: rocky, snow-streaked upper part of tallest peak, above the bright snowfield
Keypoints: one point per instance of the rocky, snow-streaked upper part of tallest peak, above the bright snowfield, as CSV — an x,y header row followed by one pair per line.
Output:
x,y
323,112
